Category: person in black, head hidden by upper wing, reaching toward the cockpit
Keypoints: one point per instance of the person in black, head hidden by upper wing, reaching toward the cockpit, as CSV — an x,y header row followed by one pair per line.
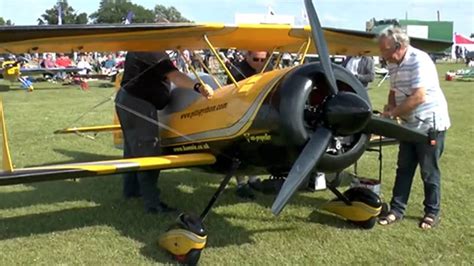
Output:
x,y
144,90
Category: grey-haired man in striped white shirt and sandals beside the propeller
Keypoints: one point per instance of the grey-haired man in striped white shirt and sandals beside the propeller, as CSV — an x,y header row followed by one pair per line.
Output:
x,y
416,98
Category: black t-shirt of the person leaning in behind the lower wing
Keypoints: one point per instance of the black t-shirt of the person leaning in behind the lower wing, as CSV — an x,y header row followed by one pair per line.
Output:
x,y
145,77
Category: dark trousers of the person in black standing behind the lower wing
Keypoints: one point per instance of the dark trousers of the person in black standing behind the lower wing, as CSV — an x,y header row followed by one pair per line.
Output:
x,y
140,139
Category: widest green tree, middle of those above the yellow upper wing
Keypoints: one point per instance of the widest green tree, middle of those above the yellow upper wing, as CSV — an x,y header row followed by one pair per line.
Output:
x,y
115,11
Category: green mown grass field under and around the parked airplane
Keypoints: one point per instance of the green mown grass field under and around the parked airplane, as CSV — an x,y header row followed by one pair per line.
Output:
x,y
87,222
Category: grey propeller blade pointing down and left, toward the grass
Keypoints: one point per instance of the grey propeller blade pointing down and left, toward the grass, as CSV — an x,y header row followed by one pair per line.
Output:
x,y
306,161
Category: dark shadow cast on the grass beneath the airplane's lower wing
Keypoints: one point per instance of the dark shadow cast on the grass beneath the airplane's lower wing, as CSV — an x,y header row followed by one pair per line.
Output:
x,y
109,209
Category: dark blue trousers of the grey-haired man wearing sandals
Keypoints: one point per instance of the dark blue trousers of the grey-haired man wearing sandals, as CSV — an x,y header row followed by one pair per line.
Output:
x,y
410,155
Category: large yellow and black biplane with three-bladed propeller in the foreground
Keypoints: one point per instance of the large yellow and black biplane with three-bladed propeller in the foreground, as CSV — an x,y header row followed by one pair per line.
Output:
x,y
286,122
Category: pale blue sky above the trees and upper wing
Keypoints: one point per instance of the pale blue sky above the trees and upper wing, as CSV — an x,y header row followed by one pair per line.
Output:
x,y
333,13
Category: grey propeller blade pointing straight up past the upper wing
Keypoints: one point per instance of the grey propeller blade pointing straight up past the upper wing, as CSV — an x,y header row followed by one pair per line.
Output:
x,y
318,39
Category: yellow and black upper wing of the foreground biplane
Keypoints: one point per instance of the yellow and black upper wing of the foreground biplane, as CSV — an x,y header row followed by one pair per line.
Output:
x,y
158,37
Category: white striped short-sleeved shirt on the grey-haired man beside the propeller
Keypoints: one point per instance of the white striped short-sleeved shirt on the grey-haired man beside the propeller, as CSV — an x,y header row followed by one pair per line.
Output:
x,y
417,70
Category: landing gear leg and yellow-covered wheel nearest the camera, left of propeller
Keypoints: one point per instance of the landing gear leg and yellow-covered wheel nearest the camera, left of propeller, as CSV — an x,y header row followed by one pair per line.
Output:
x,y
187,238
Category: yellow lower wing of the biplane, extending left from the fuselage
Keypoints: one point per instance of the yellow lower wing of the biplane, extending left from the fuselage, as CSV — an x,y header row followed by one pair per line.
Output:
x,y
76,170
